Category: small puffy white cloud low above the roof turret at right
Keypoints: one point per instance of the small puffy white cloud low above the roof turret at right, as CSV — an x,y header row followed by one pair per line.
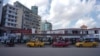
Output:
x,y
88,21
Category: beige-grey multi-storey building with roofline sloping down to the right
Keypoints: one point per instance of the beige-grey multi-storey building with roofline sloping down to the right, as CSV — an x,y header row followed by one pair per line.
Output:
x,y
28,19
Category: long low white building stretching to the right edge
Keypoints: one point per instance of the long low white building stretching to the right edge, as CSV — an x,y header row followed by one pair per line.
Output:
x,y
76,32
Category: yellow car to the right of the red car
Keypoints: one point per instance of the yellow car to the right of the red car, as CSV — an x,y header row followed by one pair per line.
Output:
x,y
86,44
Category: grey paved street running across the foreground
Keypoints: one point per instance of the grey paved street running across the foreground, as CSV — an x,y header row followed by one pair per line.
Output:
x,y
22,50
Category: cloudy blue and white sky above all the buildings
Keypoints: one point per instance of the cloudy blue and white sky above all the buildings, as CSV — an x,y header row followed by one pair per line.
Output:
x,y
66,13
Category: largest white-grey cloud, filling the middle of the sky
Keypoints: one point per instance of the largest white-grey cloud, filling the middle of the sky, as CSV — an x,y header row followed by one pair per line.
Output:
x,y
70,11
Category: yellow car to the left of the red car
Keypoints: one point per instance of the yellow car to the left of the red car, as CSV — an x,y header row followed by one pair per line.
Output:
x,y
35,43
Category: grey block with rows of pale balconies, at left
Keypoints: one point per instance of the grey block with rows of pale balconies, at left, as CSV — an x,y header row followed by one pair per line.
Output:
x,y
9,16
